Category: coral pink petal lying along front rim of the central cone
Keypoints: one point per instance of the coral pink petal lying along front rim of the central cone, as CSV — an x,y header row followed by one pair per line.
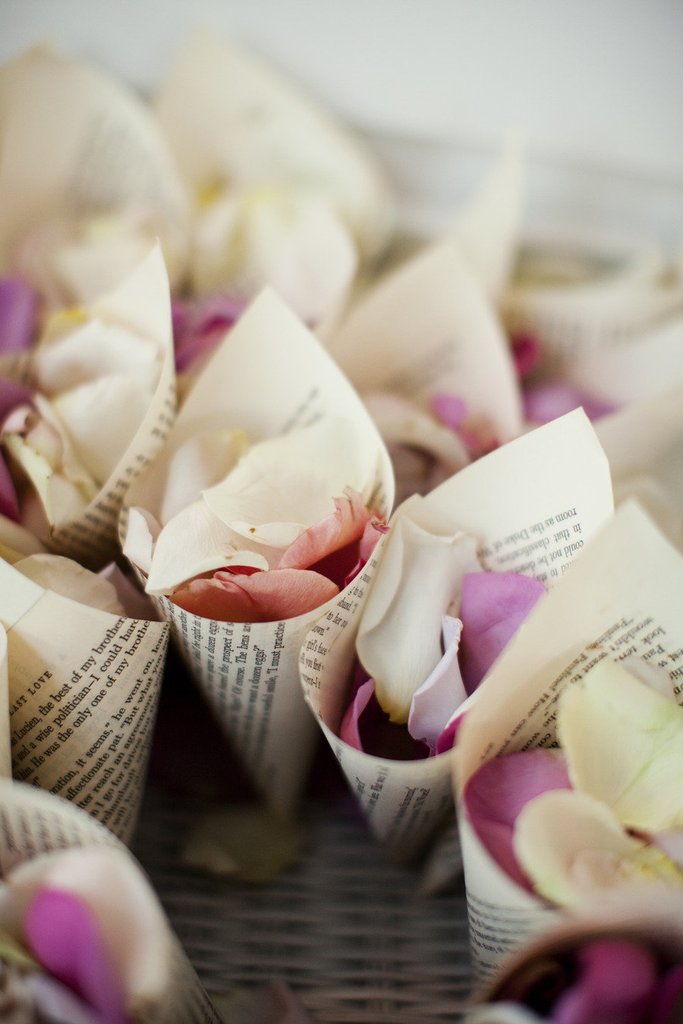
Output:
x,y
255,598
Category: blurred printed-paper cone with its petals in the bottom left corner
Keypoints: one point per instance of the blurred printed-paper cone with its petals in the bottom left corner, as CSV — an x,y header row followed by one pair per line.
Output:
x,y
52,848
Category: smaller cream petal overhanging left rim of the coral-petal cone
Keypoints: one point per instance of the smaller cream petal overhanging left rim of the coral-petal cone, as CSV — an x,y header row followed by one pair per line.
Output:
x,y
193,543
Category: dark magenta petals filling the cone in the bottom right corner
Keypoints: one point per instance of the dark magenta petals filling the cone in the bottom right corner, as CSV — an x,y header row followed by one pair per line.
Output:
x,y
607,978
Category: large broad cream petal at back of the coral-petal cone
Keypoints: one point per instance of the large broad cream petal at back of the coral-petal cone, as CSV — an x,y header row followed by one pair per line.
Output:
x,y
286,485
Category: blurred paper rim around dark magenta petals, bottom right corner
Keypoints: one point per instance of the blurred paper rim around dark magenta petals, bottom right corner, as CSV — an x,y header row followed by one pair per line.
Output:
x,y
653,920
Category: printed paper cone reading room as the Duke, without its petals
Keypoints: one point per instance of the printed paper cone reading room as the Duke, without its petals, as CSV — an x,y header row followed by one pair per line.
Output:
x,y
519,514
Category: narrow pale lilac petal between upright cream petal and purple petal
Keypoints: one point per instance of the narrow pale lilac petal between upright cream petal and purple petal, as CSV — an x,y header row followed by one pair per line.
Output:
x,y
442,694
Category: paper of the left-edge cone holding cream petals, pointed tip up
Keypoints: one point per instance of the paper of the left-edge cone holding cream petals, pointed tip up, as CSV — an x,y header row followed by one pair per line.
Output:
x,y
141,307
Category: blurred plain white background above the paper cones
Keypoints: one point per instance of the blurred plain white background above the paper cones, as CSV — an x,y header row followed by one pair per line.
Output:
x,y
595,87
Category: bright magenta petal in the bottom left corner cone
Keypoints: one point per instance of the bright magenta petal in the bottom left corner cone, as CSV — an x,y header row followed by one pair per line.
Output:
x,y
64,936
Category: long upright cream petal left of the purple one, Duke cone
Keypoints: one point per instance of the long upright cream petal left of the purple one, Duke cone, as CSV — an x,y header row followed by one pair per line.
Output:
x,y
400,637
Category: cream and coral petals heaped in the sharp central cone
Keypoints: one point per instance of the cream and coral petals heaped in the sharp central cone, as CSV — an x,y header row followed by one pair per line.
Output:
x,y
282,534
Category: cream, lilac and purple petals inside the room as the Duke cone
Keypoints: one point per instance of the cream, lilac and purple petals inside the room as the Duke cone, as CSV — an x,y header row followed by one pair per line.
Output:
x,y
434,626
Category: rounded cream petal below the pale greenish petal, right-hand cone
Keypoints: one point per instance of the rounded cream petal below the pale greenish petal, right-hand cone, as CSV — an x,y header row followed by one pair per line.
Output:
x,y
572,847
